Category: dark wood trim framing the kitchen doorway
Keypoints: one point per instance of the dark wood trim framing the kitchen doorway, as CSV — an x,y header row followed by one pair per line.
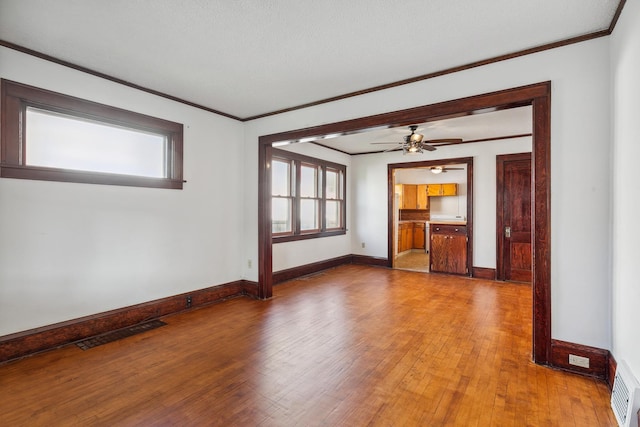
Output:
x,y
390,198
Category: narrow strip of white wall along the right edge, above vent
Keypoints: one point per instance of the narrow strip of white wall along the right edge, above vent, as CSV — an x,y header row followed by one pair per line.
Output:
x,y
625,67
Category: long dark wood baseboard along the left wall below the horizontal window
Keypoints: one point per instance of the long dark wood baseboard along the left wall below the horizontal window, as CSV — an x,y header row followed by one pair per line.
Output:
x,y
36,340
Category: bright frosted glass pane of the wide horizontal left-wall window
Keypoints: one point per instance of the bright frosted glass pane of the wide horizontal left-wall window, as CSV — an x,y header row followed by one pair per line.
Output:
x,y
65,142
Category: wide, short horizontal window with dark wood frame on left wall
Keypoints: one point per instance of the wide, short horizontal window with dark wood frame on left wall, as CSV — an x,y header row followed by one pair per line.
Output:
x,y
55,137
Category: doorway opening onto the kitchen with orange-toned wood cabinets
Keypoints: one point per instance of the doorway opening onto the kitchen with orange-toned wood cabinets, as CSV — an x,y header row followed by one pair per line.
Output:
x,y
410,230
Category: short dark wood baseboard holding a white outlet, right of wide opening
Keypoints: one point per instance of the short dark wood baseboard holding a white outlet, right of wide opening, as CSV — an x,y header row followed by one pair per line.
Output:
x,y
598,359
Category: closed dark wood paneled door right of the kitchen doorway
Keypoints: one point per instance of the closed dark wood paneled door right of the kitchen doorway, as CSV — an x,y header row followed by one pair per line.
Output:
x,y
514,218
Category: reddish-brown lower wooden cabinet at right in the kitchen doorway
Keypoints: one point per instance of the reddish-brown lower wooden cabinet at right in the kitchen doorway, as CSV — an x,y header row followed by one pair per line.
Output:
x,y
448,249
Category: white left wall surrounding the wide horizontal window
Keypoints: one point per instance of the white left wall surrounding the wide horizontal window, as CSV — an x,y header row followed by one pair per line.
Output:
x,y
68,250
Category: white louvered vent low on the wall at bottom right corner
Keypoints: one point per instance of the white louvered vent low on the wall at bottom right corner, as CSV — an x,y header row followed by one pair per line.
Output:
x,y
625,397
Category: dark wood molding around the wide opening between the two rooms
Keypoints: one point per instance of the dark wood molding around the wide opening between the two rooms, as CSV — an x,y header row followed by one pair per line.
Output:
x,y
537,95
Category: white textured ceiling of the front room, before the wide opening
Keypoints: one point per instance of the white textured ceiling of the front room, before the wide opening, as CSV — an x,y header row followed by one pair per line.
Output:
x,y
251,57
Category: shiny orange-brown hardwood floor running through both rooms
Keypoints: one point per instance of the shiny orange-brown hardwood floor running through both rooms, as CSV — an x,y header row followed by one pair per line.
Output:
x,y
350,346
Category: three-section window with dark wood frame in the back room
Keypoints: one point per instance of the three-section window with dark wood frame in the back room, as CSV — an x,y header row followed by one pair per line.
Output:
x,y
307,197
